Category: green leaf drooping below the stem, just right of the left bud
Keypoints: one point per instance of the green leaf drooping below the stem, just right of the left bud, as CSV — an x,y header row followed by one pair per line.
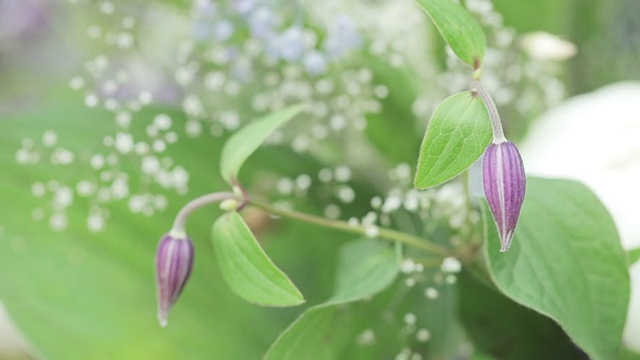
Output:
x,y
247,268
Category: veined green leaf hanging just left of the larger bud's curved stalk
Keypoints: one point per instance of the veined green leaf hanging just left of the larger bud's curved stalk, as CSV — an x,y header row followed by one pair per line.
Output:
x,y
458,133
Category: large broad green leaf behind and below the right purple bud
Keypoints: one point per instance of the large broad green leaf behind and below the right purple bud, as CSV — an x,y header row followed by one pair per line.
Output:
x,y
566,262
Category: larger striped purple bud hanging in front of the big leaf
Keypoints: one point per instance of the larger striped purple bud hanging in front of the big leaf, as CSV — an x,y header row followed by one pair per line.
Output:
x,y
504,187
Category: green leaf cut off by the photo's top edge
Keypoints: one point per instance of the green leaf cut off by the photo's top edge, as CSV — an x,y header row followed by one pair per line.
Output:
x,y
458,28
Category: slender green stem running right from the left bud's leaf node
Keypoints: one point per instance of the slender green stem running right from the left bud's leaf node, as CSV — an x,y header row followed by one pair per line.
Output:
x,y
385,233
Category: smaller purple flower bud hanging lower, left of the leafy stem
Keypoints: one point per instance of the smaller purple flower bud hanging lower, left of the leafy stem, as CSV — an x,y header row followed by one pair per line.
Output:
x,y
174,260
